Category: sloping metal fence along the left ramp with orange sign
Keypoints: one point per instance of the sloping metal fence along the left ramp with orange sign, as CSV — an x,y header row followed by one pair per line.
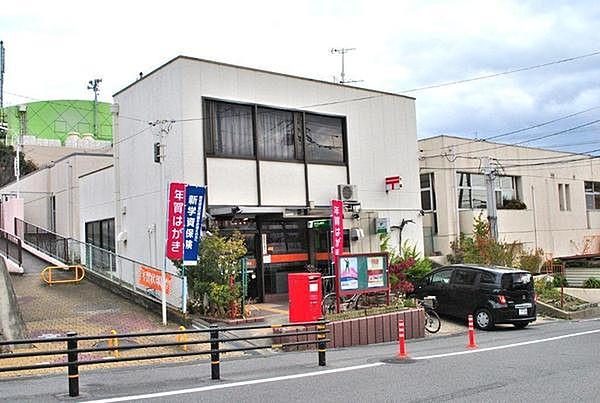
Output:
x,y
138,277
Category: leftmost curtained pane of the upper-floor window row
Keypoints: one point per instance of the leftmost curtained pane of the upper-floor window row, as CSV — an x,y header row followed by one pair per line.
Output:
x,y
229,129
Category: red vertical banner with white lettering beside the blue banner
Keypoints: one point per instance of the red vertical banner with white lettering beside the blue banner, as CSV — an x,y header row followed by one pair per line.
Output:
x,y
175,221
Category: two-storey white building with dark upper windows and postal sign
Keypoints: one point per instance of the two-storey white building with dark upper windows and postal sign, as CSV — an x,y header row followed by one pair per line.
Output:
x,y
272,149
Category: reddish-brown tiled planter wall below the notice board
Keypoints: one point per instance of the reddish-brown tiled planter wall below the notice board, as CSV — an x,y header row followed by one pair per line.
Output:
x,y
360,331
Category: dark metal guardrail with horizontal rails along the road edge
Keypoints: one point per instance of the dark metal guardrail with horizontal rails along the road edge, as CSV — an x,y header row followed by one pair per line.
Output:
x,y
73,361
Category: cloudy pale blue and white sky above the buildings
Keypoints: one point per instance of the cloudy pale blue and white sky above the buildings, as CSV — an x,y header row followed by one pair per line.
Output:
x,y
54,48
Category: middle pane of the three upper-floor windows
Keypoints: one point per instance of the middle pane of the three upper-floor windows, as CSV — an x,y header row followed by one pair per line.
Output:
x,y
279,134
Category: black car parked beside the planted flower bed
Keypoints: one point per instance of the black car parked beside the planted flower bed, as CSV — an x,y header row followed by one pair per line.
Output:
x,y
491,294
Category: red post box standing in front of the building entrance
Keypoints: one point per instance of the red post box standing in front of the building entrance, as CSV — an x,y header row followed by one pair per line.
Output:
x,y
305,295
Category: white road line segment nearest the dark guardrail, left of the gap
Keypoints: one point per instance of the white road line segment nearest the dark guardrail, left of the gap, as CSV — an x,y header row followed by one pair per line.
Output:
x,y
236,384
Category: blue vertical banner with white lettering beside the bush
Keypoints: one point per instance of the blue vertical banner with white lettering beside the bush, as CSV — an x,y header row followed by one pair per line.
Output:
x,y
194,212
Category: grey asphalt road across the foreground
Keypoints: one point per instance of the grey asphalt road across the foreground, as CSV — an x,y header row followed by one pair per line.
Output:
x,y
555,361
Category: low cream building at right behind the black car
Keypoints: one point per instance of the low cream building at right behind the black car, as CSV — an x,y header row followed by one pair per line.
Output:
x,y
562,199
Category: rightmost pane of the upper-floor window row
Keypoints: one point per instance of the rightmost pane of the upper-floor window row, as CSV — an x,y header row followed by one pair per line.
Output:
x,y
324,138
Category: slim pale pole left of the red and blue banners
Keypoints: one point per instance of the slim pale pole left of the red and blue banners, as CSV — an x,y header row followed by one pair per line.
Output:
x,y
164,127
